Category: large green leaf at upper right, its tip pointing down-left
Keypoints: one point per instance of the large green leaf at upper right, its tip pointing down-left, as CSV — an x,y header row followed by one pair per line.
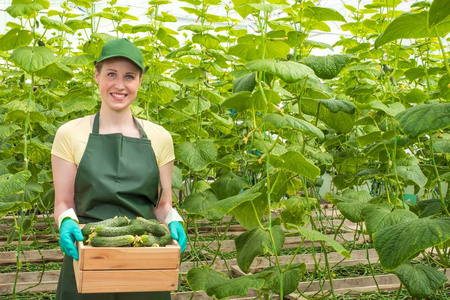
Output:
x,y
411,26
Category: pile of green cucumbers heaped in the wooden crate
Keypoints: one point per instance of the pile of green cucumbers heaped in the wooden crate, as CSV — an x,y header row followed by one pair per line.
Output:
x,y
123,232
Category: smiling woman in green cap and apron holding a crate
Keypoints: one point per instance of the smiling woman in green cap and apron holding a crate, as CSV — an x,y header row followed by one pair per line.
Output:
x,y
112,164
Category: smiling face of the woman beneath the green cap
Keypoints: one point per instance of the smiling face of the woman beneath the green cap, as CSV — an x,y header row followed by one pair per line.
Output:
x,y
118,80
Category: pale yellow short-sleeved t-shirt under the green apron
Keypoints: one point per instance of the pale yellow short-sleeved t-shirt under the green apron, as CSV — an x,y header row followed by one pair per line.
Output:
x,y
72,137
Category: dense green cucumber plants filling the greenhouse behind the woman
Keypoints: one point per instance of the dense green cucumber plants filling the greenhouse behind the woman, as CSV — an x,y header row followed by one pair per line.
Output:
x,y
256,120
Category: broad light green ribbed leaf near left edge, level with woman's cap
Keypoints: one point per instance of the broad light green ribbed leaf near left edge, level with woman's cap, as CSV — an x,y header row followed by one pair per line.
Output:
x,y
31,59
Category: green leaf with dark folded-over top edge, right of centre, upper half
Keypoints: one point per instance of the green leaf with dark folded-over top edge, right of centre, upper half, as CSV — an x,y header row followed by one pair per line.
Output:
x,y
338,114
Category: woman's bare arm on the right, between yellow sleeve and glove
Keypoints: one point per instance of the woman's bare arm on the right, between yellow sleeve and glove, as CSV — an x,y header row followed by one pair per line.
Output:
x,y
165,203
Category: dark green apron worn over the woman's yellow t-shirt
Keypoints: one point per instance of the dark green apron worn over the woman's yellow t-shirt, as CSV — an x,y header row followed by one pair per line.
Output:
x,y
117,176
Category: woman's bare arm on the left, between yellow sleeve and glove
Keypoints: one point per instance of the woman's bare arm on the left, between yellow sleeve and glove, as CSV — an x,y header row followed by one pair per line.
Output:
x,y
64,173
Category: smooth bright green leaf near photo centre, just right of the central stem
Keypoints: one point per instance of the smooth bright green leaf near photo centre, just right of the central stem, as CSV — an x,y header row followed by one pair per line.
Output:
x,y
295,162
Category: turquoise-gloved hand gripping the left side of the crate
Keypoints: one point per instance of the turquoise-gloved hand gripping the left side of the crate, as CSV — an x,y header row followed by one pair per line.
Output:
x,y
69,233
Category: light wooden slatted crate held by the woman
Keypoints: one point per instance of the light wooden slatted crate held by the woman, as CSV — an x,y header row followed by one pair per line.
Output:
x,y
127,269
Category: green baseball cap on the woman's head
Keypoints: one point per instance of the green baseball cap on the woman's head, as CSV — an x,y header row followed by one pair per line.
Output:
x,y
122,48
